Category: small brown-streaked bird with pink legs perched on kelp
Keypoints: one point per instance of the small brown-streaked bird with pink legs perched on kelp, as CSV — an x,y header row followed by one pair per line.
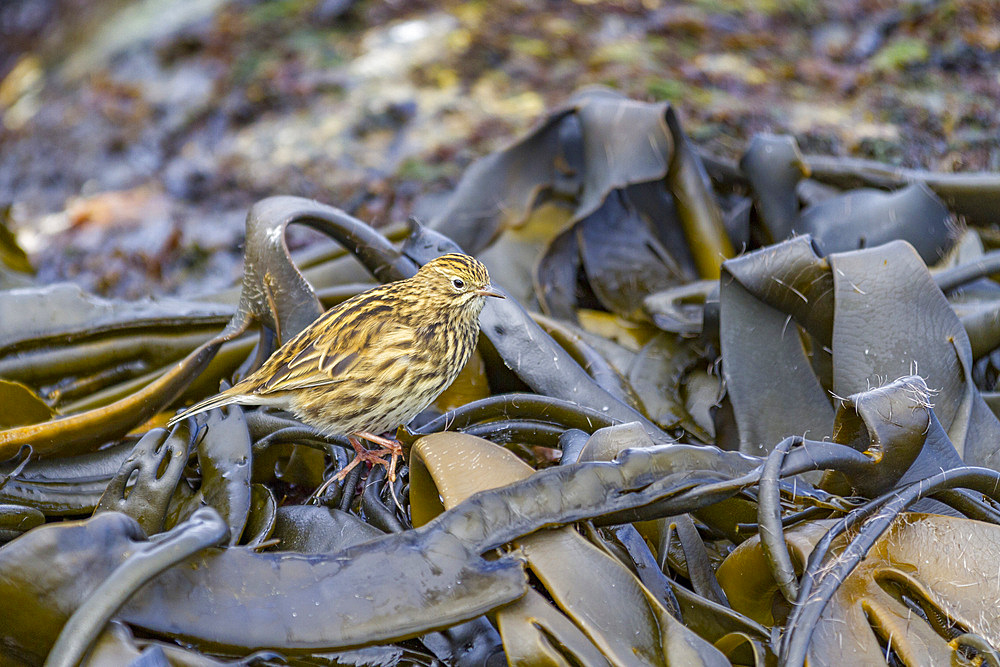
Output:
x,y
374,361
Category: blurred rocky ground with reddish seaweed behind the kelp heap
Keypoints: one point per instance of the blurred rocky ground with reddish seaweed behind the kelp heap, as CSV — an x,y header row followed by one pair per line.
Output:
x,y
135,135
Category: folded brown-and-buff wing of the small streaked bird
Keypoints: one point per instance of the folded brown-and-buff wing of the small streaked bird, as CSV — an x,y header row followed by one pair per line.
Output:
x,y
331,349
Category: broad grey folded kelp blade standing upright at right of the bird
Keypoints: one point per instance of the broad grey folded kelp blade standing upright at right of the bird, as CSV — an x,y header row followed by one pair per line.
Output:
x,y
870,315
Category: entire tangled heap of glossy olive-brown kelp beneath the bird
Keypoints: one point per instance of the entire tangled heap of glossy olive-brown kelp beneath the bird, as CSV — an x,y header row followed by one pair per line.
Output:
x,y
693,457
